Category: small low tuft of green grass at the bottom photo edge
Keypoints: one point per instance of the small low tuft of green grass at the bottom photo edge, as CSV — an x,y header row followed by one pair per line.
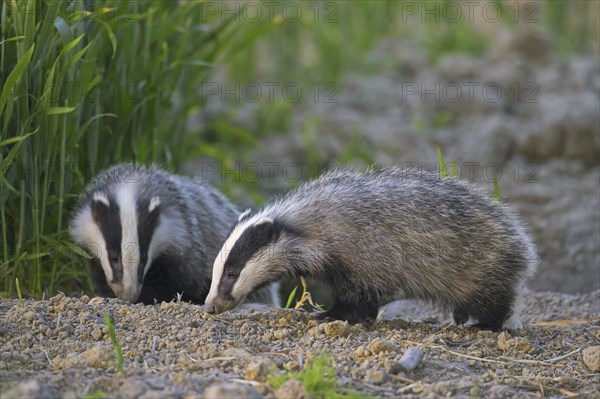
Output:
x,y
319,379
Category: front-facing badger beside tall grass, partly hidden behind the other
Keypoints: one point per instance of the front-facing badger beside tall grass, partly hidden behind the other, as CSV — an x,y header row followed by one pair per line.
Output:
x,y
153,236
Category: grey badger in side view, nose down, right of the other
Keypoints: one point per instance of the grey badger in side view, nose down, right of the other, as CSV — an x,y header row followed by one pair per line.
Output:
x,y
380,235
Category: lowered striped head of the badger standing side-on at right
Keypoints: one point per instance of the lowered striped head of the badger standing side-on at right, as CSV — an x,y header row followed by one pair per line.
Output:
x,y
254,255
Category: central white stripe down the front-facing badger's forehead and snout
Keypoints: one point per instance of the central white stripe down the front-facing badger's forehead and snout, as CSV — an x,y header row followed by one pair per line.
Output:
x,y
130,249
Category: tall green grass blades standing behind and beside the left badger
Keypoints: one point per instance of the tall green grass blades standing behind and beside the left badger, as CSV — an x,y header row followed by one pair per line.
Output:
x,y
89,84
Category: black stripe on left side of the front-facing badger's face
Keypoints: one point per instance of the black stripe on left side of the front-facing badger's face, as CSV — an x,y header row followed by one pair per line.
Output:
x,y
108,219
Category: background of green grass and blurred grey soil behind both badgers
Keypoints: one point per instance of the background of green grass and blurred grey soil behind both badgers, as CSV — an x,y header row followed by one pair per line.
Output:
x,y
256,97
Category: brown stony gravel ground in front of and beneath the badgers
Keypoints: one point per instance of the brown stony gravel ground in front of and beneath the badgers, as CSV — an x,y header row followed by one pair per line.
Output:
x,y
61,348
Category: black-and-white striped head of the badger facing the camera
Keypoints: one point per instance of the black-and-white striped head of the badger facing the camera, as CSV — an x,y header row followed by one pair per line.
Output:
x,y
120,230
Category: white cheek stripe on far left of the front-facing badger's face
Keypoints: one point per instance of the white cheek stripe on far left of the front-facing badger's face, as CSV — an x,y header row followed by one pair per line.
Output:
x,y
87,233
